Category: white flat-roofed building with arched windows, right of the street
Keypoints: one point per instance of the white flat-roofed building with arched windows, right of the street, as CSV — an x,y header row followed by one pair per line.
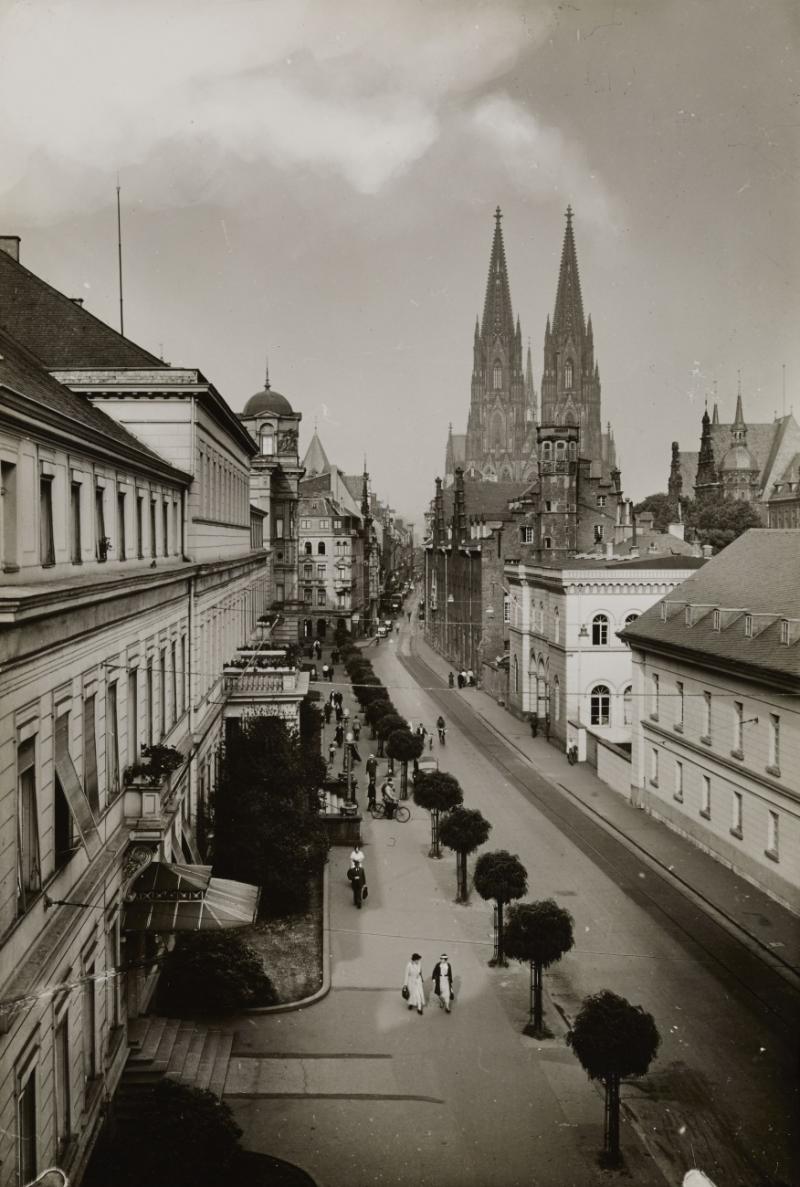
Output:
x,y
568,668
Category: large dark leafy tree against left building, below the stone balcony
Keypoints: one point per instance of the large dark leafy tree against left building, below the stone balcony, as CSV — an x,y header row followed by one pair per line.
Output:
x,y
266,820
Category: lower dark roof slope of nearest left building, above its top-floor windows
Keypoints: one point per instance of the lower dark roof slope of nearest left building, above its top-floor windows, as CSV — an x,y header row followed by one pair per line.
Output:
x,y
22,373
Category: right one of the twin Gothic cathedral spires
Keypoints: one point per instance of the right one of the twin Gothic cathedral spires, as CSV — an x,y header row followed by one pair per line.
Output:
x,y
570,384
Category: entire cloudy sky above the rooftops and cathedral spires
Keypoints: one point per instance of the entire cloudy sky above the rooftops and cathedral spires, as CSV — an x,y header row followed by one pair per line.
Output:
x,y
315,182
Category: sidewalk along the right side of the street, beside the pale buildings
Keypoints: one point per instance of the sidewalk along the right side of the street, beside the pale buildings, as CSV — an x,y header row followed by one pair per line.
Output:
x,y
765,924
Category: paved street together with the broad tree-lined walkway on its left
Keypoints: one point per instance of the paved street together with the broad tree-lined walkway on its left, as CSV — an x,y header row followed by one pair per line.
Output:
x,y
358,1091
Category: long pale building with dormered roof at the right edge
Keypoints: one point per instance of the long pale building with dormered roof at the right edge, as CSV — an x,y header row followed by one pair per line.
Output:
x,y
716,745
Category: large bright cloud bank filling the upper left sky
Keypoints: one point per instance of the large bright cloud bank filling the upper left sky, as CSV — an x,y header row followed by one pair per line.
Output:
x,y
355,88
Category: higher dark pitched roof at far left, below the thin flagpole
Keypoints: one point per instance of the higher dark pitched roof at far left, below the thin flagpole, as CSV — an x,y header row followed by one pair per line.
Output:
x,y
56,329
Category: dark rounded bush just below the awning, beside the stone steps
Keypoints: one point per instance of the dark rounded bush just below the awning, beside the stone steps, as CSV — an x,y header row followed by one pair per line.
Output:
x,y
213,973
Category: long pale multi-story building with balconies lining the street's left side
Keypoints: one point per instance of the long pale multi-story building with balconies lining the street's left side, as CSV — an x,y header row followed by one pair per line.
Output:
x,y
130,576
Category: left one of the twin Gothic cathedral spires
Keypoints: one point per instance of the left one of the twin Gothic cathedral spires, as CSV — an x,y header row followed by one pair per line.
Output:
x,y
500,428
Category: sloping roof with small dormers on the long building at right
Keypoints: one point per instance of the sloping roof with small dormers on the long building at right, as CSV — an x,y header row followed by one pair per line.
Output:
x,y
758,575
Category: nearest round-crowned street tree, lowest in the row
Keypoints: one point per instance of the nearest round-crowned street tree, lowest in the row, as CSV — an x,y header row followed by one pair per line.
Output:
x,y
613,1039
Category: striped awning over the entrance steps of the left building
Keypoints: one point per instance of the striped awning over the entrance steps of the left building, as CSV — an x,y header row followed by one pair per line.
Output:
x,y
172,898
